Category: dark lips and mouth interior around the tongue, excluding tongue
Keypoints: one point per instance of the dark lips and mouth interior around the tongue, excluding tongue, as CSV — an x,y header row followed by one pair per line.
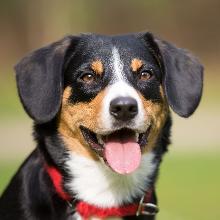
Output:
x,y
97,142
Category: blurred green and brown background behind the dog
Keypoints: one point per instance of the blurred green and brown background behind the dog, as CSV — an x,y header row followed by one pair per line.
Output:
x,y
188,186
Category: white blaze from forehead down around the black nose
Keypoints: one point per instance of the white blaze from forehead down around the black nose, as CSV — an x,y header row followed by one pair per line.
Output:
x,y
120,88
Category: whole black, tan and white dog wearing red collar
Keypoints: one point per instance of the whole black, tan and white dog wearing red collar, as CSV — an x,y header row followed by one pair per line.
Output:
x,y
101,111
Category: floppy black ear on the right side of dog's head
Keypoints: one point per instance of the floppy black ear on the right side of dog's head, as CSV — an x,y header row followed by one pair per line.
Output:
x,y
183,75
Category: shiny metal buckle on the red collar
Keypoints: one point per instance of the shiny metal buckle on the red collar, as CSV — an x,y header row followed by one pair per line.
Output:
x,y
146,208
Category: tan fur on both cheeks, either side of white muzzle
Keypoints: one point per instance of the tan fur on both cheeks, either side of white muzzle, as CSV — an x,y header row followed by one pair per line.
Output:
x,y
87,114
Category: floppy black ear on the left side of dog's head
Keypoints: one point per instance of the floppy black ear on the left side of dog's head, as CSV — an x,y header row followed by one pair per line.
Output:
x,y
40,80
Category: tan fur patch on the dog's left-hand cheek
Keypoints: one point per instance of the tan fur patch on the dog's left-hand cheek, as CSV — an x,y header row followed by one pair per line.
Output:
x,y
72,116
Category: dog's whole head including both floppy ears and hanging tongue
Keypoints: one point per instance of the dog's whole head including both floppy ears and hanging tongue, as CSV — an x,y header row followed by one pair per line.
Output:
x,y
110,95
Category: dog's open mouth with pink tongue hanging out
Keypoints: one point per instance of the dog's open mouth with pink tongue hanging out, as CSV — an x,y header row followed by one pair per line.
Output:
x,y
121,149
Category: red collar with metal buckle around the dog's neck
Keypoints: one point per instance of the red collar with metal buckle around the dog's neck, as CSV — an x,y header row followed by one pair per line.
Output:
x,y
144,207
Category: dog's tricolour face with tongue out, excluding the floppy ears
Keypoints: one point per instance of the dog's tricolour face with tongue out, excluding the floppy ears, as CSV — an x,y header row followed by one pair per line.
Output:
x,y
113,101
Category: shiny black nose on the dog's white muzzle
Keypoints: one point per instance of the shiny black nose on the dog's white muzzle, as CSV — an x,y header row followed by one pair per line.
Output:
x,y
123,108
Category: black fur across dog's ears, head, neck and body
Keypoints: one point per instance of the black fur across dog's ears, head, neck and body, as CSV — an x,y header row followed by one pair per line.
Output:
x,y
41,79
